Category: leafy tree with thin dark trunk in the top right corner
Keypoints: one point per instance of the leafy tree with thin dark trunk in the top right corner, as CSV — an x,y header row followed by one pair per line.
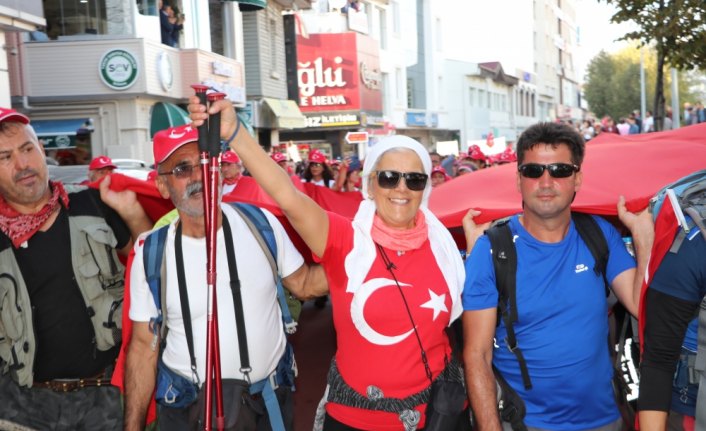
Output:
x,y
677,30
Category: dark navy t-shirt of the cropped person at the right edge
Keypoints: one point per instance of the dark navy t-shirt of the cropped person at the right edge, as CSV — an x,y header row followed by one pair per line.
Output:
x,y
683,275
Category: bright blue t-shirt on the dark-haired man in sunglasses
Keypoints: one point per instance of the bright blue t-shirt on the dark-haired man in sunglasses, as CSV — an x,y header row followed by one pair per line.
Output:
x,y
562,325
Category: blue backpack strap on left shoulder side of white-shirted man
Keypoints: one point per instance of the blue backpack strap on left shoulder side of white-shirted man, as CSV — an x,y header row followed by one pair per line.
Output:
x,y
153,259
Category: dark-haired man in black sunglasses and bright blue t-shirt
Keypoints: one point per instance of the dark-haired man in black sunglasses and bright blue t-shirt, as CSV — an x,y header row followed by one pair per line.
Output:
x,y
562,325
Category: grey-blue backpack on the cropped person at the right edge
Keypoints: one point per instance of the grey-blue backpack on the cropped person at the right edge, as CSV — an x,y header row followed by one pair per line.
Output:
x,y
688,196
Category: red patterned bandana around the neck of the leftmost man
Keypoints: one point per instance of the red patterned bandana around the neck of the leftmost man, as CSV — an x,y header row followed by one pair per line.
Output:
x,y
20,227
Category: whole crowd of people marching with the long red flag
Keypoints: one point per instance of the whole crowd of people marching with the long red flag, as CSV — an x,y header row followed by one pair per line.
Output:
x,y
531,293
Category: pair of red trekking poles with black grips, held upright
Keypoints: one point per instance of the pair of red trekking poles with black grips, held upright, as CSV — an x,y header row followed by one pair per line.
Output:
x,y
214,208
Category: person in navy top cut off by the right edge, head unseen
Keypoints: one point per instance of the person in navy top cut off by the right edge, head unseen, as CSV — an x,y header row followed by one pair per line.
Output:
x,y
671,302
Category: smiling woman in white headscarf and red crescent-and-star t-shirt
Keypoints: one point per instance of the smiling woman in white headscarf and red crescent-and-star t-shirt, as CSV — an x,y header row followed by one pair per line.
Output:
x,y
395,279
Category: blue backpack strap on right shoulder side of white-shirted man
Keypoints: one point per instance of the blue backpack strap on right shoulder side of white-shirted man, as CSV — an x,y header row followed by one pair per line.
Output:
x,y
261,229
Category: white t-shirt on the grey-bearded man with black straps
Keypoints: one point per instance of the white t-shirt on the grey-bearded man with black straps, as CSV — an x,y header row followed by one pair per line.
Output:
x,y
263,321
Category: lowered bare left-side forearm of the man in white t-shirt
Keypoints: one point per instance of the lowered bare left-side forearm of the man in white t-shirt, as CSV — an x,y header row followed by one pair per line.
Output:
x,y
140,375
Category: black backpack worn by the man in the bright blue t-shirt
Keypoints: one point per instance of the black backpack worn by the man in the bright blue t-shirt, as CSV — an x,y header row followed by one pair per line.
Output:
x,y
505,265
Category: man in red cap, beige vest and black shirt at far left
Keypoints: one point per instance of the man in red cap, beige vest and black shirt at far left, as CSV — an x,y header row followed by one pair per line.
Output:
x,y
65,285
